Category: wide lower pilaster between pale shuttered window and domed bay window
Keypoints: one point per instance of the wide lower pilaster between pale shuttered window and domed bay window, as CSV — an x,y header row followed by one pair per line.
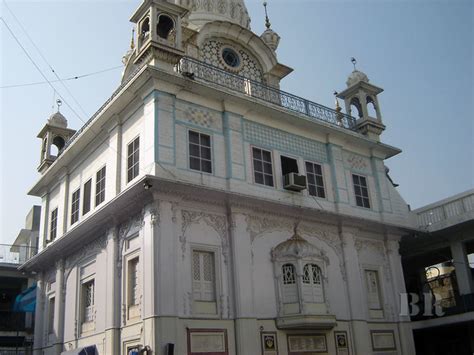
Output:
x,y
246,329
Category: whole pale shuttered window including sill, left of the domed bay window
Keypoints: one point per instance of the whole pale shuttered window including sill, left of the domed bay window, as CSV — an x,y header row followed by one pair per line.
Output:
x,y
204,282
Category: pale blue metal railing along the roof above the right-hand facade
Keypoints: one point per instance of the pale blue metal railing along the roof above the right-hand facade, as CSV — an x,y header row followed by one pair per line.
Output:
x,y
195,69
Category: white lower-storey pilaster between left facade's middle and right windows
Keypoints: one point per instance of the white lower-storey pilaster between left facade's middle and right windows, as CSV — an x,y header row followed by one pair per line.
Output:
x,y
113,294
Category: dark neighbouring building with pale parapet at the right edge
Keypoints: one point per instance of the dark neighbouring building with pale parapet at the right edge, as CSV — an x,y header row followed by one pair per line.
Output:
x,y
440,261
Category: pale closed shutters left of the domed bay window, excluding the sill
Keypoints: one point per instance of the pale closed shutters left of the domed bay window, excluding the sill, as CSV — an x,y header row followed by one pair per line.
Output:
x,y
203,276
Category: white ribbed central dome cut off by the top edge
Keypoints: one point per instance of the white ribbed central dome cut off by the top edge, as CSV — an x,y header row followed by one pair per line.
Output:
x,y
204,11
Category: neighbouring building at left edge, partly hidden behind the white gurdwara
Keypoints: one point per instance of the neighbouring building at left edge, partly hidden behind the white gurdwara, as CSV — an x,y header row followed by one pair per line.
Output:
x,y
16,328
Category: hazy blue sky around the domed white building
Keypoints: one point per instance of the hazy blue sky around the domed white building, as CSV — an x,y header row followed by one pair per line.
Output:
x,y
419,51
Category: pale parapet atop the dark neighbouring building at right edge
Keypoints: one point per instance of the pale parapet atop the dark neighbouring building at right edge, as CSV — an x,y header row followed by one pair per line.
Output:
x,y
446,213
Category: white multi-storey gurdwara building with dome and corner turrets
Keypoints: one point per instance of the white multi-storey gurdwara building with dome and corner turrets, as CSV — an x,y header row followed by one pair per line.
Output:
x,y
202,210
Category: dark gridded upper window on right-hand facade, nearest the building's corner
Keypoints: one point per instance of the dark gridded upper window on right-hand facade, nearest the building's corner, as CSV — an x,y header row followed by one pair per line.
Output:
x,y
200,152
